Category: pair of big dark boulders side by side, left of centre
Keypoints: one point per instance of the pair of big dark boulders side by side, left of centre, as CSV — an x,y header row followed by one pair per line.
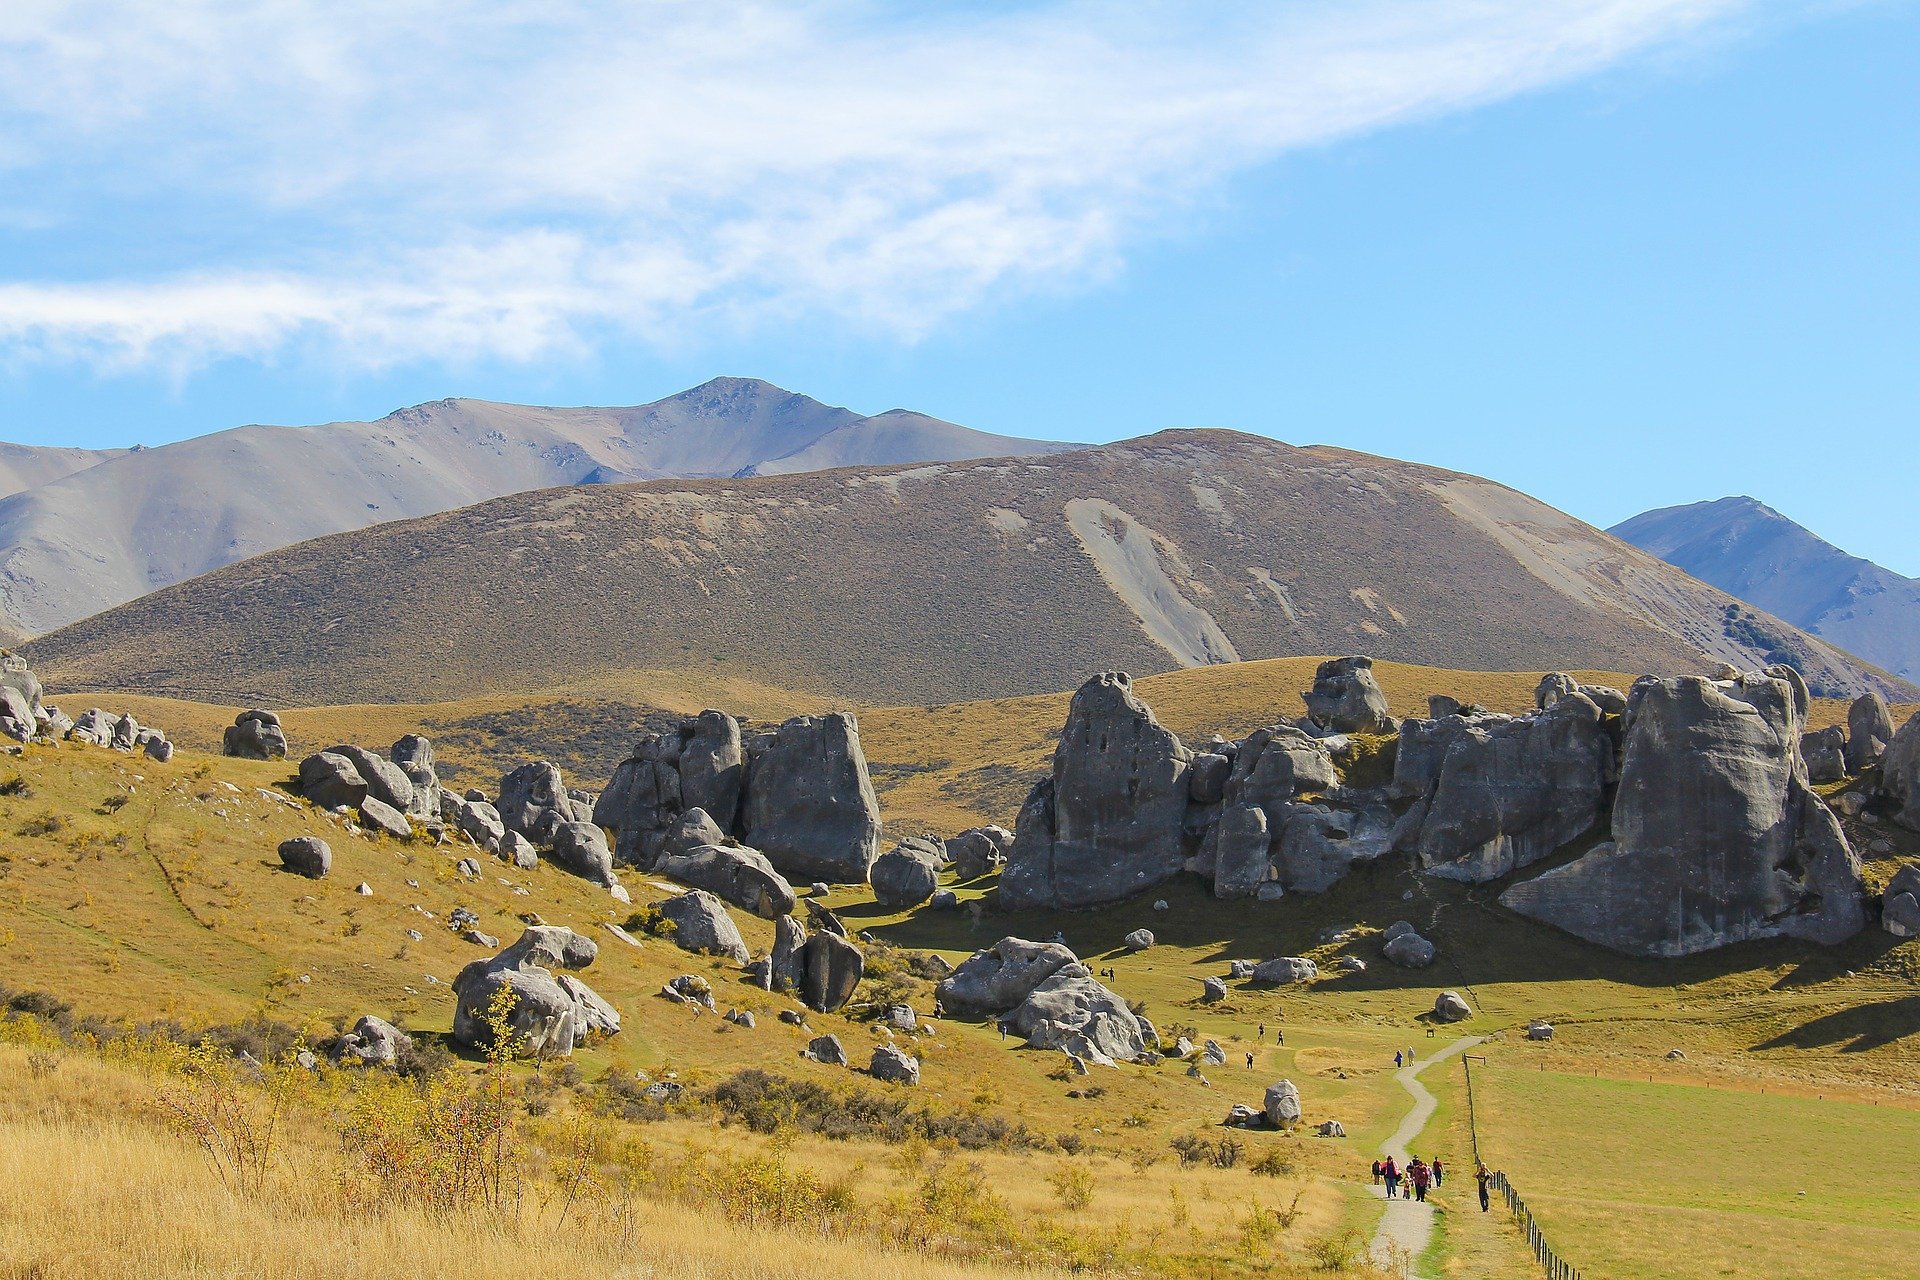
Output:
x,y
798,795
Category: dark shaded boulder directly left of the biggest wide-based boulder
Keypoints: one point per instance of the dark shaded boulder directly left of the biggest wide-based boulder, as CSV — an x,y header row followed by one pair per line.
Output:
x,y
1508,790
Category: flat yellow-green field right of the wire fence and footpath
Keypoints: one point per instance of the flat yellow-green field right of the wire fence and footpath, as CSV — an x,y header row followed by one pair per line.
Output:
x,y
1643,1181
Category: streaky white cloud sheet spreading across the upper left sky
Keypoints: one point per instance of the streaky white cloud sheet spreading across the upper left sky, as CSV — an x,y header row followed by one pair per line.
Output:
x,y
433,179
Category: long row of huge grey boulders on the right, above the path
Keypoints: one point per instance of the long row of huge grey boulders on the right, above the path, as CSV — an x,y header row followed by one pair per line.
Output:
x,y
1692,799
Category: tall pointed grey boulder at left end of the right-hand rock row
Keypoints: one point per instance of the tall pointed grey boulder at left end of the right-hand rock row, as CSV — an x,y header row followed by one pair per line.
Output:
x,y
1109,822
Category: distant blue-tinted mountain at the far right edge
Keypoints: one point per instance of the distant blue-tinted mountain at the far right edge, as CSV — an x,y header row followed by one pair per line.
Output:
x,y
1752,552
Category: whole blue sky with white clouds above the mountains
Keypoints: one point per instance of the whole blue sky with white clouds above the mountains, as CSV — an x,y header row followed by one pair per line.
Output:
x,y
1618,254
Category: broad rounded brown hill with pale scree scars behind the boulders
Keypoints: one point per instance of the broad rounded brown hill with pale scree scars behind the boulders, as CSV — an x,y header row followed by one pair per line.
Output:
x,y
936,584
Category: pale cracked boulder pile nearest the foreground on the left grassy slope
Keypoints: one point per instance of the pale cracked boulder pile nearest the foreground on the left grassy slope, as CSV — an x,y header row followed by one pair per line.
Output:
x,y
552,1012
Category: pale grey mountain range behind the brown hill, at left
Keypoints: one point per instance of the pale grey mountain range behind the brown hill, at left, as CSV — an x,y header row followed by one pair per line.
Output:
x,y
91,538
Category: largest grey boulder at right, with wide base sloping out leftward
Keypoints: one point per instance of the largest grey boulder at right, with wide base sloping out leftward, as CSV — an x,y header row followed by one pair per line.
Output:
x,y
1717,836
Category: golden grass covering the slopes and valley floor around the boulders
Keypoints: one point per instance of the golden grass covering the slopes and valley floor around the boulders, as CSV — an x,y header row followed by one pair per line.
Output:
x,y
153,891
